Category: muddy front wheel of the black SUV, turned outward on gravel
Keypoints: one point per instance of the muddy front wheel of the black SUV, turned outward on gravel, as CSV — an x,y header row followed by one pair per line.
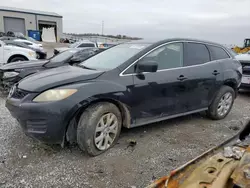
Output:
x,y
90,122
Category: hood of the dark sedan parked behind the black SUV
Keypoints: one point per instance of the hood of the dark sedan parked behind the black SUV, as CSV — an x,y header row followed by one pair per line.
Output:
x,y
23,64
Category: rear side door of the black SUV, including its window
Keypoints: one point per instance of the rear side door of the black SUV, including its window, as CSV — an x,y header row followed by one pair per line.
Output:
x,y
202,75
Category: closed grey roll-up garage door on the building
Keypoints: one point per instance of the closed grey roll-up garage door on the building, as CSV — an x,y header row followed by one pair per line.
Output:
x,y
14,24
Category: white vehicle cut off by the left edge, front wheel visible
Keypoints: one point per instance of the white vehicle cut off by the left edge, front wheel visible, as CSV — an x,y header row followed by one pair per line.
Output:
x,y
10,53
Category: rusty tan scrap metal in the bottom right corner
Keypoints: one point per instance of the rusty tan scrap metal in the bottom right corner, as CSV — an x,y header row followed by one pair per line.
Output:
x,y
225,166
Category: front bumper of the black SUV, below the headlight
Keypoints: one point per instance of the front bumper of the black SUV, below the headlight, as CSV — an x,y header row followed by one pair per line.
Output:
x,y
45,122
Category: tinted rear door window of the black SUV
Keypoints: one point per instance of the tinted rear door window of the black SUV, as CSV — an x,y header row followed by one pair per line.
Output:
x,y
195,54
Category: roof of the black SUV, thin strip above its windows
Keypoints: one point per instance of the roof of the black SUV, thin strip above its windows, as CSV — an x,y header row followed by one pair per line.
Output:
x,y
152,41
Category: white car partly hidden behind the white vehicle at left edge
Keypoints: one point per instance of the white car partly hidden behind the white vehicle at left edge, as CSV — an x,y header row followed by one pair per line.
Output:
x,y
40,53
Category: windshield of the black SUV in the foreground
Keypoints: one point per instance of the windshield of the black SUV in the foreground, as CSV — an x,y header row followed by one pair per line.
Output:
x,y
113,57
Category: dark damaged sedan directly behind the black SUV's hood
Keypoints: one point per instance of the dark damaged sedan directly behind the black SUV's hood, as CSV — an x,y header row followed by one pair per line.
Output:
x,y
14,72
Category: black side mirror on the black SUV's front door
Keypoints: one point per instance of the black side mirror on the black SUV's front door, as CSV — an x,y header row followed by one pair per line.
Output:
x,y
146,66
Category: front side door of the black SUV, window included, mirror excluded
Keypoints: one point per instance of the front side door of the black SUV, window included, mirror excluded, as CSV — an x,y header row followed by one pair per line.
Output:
x,y
162,93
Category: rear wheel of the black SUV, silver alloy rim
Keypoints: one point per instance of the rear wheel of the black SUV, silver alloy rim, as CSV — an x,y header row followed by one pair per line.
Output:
x,y
214,110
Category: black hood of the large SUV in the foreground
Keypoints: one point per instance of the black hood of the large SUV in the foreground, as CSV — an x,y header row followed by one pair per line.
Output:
x,y
56,77
